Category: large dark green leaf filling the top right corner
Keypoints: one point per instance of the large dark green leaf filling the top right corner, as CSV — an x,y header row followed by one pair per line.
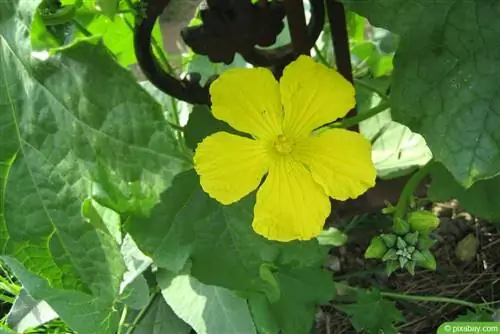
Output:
x,y
445,86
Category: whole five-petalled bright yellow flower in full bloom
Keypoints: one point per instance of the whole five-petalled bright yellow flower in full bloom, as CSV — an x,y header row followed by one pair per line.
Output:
x,y
303,167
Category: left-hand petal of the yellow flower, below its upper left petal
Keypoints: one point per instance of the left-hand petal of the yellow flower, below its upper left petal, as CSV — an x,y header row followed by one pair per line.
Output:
x,y
230,166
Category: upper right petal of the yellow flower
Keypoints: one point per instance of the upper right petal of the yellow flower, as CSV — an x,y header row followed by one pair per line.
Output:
x,y
313,95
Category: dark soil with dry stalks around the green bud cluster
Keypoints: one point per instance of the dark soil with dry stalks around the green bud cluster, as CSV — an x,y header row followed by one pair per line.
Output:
x,y
476,280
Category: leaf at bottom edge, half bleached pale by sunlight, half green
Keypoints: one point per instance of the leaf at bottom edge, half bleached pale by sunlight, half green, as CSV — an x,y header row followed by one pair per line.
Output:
x,y
207,308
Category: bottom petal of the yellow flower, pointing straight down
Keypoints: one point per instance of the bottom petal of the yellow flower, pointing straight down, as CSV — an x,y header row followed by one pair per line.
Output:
x,y
290,204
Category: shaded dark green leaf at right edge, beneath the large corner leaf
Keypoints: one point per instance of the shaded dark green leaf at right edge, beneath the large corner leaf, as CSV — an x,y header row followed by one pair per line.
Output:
x,y
479,199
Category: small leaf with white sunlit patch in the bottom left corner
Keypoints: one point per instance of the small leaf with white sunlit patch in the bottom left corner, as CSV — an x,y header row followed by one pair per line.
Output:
x,y
28,313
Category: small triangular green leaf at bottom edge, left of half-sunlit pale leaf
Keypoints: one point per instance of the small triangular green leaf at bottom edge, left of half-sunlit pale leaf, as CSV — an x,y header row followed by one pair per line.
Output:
x,y
160,319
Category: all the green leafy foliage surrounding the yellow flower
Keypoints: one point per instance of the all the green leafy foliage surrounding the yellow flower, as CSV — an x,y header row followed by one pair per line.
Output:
x,y
104,223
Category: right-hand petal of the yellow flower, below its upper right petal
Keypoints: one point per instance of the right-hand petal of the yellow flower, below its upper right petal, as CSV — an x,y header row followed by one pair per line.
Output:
x,y
340,161
